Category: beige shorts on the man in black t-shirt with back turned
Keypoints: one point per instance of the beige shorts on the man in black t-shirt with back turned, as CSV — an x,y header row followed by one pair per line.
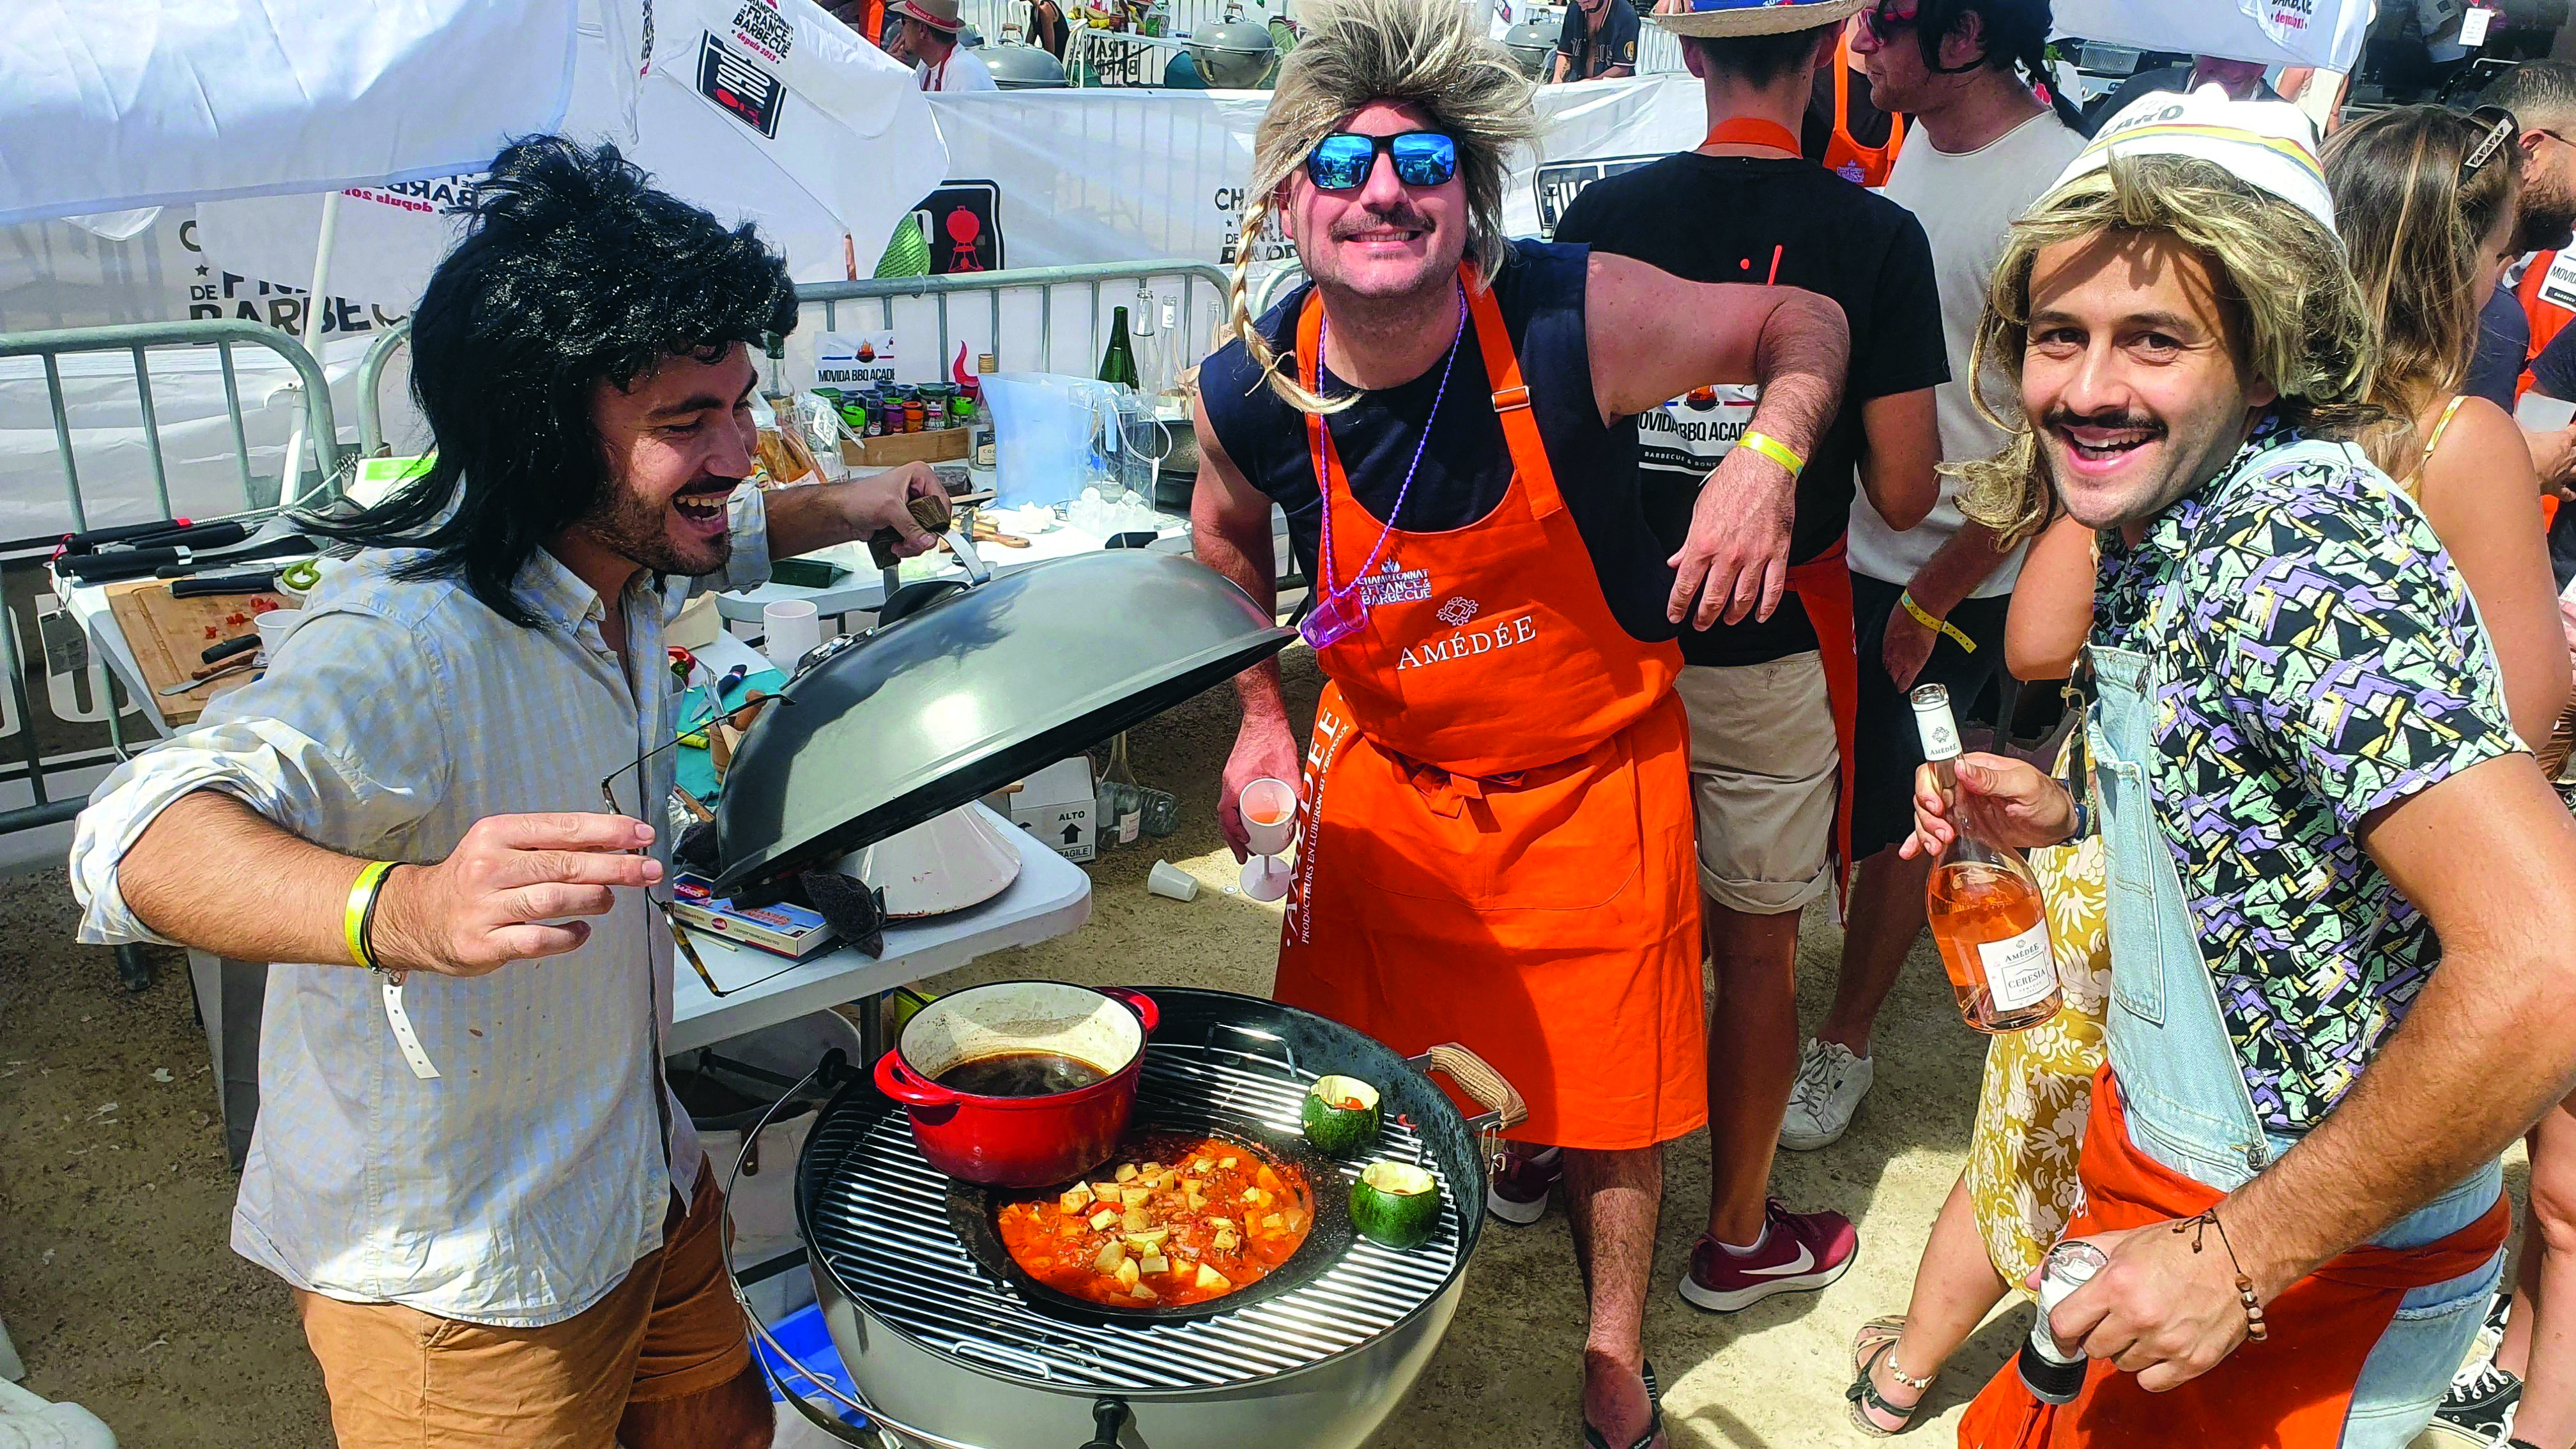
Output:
x,y
1763,777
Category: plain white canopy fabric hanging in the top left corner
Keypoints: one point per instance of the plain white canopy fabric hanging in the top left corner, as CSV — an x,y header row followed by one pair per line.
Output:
x,y
115,104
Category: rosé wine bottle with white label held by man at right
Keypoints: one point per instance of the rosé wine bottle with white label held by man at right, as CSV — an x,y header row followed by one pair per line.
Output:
x,y
1985,904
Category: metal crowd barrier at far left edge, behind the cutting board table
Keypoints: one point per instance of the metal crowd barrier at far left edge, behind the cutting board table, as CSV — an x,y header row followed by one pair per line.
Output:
x,y
259,501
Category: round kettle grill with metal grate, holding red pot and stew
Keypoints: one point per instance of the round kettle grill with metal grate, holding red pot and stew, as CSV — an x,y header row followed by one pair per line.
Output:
x,y
952,1355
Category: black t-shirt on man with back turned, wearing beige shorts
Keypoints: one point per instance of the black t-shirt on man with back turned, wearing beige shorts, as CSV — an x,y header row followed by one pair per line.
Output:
x,y
1725,220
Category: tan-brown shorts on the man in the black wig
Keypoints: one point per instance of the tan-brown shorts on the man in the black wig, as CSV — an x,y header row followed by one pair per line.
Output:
x,y
413,1381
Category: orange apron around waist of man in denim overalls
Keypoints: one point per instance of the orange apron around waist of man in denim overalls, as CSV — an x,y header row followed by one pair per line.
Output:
x,y
2286,1394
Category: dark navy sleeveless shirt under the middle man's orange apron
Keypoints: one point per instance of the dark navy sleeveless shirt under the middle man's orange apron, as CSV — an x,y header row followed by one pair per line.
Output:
x,y
1467,468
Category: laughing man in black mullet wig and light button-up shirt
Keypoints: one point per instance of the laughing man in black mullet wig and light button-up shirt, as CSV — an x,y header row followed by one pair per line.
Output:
x,y
496,1223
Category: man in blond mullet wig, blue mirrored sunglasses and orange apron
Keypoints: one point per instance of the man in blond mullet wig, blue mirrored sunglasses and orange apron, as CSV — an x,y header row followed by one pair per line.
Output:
x,y
1498,795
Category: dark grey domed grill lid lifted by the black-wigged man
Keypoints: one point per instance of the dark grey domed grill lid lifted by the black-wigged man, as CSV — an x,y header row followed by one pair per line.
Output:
x,y
970,695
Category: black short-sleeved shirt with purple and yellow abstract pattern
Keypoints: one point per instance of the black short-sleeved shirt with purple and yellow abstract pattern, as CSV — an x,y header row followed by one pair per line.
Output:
x,y
2315,659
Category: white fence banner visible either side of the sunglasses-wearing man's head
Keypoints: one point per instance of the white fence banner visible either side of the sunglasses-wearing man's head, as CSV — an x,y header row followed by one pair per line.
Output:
x,y
1099,177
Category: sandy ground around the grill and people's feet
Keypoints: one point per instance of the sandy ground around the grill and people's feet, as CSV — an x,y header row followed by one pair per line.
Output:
x,y
120,1290
